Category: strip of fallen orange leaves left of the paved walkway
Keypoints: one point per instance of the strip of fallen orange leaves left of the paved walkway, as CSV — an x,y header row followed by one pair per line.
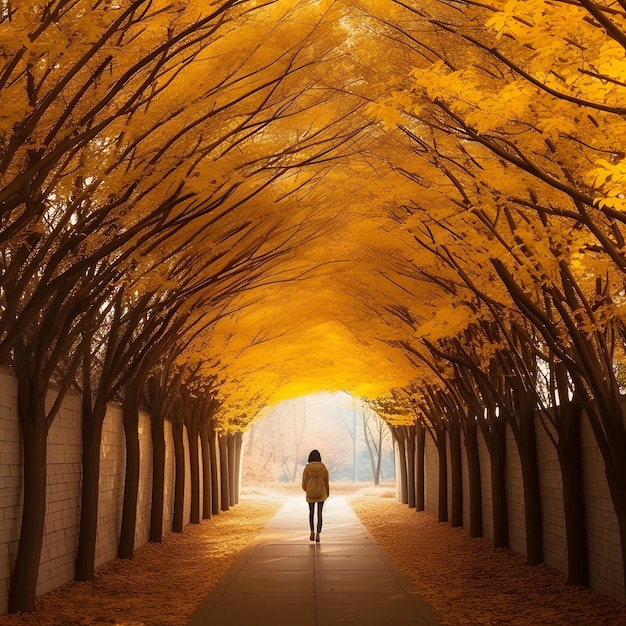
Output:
x,y
164,583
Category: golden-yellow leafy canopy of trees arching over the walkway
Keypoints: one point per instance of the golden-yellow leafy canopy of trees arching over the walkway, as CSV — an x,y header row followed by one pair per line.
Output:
x,y
226,205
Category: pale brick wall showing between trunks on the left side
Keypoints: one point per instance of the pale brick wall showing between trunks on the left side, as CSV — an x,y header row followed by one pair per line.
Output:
x,y
63,488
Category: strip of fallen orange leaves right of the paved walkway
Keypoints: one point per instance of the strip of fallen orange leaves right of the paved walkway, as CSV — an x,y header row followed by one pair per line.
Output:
x,y
469,582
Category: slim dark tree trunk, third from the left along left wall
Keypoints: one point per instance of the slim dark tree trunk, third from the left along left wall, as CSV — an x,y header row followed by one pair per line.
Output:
x,y
131,484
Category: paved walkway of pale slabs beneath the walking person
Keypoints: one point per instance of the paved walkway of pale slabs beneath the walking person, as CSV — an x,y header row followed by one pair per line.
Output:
x,y
287,580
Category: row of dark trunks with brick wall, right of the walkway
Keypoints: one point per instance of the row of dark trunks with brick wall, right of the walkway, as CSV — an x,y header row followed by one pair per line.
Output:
x,y
439,483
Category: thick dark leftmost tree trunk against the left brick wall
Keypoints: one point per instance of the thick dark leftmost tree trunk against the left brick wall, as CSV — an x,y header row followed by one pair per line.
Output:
x,y
32,416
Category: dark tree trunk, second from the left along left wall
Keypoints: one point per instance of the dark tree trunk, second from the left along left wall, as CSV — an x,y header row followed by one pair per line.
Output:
x,y
92,438
